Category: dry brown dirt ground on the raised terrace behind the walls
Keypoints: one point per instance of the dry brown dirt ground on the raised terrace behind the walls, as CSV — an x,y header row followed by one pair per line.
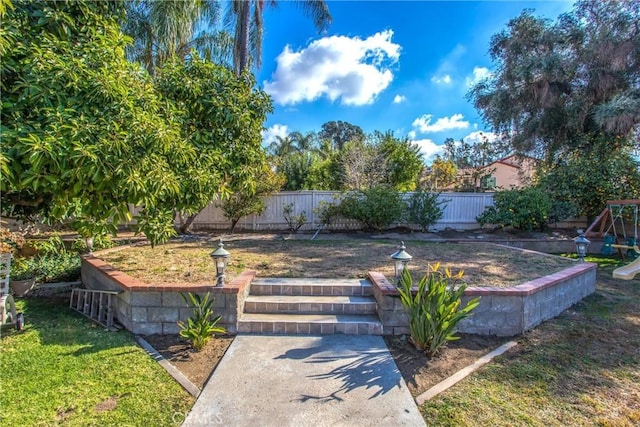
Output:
x,y
484,264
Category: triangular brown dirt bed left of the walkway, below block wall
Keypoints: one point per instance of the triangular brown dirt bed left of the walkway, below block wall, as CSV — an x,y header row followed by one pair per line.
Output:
x,y
195,365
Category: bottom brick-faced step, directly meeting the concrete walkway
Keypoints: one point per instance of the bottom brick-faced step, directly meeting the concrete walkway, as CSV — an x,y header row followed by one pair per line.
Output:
x,y
315,324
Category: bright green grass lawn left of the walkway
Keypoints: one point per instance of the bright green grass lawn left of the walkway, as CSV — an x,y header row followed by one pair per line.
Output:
x,y
62,369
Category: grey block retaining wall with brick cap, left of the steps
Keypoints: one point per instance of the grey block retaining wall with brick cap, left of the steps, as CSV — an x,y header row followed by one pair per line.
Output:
x,y
156,309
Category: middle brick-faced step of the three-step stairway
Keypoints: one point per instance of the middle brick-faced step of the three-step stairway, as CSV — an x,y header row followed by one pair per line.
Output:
x,y
303,304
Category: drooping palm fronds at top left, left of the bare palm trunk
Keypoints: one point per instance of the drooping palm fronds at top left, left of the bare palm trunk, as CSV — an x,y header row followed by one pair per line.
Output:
x,y
161,29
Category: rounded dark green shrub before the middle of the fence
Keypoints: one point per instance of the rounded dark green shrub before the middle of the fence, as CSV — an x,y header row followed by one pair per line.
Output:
x,y
376,208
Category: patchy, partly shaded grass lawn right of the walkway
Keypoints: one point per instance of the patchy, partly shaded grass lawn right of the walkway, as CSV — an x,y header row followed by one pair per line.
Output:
x,y
581,368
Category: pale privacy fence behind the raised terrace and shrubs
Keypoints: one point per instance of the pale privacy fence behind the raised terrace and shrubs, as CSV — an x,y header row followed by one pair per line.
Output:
x,y
460,212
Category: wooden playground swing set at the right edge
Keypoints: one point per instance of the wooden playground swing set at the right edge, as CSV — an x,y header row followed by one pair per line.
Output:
x,y
613,227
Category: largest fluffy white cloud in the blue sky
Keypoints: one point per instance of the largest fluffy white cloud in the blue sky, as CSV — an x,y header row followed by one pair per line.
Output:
x,y
347,68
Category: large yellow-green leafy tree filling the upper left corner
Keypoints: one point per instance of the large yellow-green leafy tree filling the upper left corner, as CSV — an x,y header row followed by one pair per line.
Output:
x,y
83,132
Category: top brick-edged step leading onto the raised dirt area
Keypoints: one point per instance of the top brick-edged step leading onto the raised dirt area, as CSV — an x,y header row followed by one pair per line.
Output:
x,y
318,287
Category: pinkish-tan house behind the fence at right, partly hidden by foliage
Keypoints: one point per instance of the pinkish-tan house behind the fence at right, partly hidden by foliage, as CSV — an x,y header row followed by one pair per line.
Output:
x,y
513,171
